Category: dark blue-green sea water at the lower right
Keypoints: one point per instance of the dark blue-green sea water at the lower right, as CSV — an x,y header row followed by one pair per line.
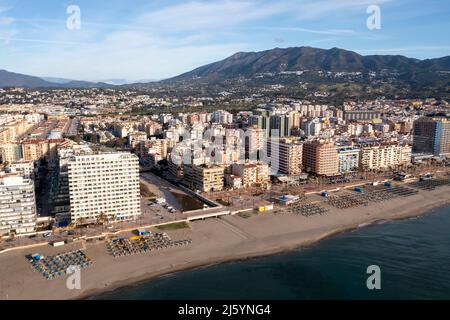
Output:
x,y
413,256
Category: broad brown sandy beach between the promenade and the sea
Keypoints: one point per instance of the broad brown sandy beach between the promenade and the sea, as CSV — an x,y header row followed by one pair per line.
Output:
x,y
213,241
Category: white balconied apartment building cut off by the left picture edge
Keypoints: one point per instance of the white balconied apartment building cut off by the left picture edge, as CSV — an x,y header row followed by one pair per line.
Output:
x,y
17,205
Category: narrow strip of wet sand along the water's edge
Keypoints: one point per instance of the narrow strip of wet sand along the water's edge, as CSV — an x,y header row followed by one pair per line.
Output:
x,y
306,245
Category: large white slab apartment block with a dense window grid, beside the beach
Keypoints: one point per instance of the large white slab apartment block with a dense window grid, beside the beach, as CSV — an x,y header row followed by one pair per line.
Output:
x,y
105,183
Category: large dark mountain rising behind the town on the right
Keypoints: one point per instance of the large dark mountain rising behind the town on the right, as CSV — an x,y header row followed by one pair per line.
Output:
x,y
307,59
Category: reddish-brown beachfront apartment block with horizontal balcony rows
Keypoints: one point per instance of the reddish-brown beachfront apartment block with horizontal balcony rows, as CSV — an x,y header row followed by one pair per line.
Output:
x,y
320,157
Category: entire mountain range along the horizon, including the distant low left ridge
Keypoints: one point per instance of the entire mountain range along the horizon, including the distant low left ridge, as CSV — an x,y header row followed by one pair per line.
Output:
x,y
283,66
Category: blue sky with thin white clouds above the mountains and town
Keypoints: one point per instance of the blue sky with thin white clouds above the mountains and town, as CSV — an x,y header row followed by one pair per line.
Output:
x,y
156,39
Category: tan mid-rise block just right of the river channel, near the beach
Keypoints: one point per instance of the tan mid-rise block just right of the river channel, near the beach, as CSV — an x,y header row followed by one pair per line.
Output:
x,y
204,178
